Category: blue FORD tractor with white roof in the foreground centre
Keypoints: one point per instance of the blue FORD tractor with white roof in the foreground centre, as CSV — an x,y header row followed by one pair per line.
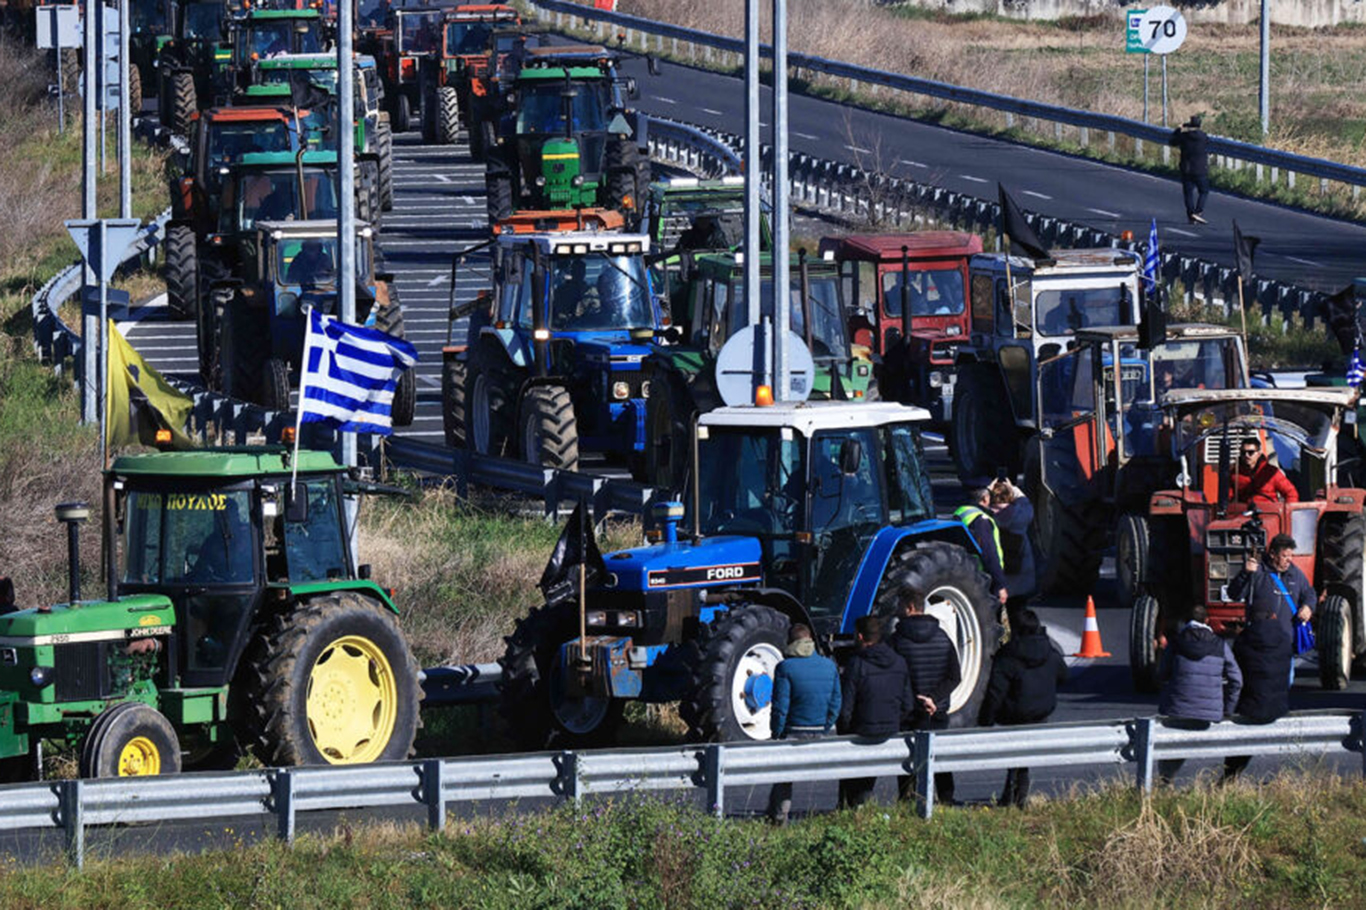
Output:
x,y
816,514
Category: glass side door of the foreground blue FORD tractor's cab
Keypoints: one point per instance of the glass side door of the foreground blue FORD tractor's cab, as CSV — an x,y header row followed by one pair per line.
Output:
x,y
848,505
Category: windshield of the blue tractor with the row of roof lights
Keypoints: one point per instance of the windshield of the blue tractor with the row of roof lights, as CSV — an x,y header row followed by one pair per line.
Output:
x,y
599,293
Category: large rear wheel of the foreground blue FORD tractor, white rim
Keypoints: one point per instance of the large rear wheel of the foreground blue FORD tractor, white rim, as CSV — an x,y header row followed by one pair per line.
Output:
x,y
957,594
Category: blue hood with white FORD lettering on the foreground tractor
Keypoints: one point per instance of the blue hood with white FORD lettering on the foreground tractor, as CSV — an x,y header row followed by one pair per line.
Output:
x,y
715,562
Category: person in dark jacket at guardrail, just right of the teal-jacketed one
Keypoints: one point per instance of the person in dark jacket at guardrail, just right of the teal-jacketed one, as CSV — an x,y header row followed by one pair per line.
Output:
x,y
875,700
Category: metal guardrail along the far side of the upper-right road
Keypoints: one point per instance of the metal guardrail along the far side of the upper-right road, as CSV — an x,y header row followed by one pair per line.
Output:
x,y
1287,162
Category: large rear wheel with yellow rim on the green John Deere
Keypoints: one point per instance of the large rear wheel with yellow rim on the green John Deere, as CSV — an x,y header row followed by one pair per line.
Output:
x,y
334,684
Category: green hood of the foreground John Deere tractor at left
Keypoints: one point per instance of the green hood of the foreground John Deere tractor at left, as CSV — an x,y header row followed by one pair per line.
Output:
x,y
133,617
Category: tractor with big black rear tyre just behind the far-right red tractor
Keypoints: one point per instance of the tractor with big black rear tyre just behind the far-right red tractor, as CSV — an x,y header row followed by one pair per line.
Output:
x,y
1104,445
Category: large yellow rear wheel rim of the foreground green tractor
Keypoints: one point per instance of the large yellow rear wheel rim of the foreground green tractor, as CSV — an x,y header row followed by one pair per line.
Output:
x,y
353,702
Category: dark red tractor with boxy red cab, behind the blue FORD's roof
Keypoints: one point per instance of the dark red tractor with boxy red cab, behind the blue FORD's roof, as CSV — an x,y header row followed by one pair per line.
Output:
x,y
910,308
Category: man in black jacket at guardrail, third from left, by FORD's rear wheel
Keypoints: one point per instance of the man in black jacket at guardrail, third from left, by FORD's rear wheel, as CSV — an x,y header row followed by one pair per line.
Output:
x,y
934,667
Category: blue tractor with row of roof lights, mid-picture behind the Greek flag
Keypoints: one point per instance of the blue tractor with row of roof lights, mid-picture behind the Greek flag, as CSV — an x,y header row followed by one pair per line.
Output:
x,y
553,367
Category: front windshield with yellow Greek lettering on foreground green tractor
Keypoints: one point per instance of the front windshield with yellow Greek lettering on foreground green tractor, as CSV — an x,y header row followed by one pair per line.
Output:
x,y
189,538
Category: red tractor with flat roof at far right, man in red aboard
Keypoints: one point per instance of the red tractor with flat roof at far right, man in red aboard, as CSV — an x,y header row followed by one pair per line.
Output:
x,y
1197,536
